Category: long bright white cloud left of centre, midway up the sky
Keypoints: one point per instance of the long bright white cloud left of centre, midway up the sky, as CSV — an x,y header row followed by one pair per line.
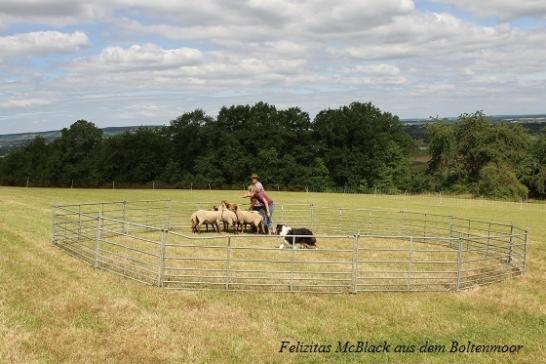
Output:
x,y
181,67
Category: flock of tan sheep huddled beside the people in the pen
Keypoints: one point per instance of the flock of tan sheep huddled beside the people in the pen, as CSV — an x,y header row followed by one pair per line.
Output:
x,y
230,215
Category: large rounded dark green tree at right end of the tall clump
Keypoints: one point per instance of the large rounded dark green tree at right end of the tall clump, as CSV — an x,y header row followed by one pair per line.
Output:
x,y
361,145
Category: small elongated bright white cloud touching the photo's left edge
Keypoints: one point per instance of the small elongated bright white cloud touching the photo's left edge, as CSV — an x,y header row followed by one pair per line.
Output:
x,y
40,43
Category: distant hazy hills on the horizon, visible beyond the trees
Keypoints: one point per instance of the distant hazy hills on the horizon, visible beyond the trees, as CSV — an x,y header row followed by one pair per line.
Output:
x,y
534,123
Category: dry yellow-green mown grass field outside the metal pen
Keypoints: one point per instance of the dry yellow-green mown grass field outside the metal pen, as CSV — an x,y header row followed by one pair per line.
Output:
x,y
54,308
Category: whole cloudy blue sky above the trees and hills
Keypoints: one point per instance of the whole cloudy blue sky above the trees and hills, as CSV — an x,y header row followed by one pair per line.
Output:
x,y
141,62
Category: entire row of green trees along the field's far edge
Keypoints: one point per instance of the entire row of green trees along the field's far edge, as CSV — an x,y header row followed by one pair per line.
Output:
x,y
356,147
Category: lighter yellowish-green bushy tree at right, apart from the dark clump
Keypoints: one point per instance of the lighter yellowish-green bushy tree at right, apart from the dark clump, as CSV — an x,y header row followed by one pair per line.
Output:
x,y
475,155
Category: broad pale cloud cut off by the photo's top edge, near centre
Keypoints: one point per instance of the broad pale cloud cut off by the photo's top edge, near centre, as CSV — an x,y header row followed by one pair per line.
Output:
x,y
239,21
